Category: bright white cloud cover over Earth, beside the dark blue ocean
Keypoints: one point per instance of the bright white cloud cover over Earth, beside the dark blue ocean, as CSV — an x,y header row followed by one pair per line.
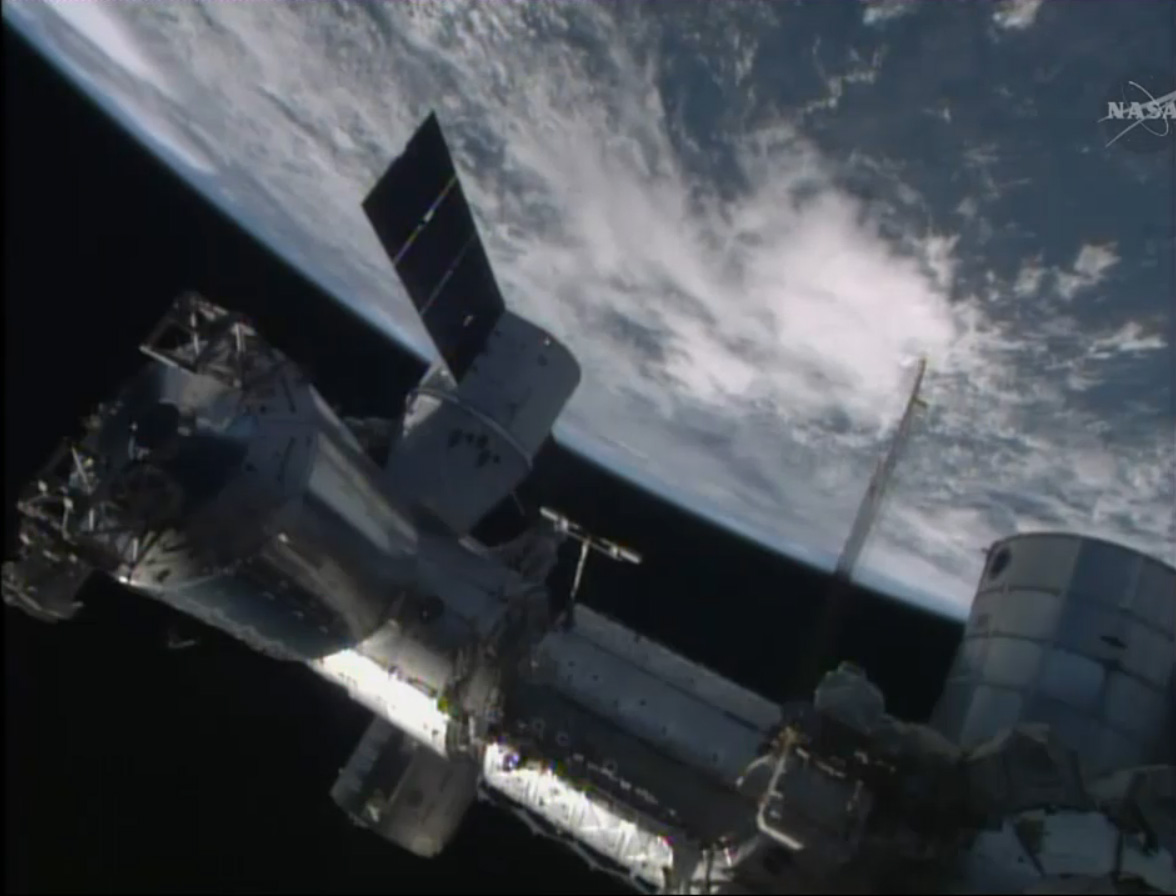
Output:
x,y
749,326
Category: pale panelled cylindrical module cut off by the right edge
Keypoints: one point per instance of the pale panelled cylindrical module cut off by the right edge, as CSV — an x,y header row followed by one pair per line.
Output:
x,y
1077,633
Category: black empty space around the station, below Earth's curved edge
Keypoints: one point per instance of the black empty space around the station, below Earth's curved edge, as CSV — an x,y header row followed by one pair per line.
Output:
x,y
136,768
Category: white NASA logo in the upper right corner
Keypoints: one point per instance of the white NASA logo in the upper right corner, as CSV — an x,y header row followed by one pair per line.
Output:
x,y
1139,113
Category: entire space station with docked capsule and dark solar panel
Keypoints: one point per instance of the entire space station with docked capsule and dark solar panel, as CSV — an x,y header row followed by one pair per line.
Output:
x,y
220,483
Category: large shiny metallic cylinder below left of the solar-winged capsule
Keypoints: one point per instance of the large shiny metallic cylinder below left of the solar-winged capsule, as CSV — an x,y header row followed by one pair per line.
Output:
x,y
293,545
